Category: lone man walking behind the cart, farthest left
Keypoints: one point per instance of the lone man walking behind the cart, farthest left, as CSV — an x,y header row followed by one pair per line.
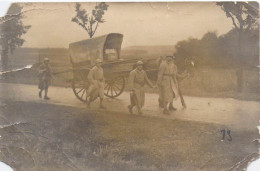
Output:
x,y
45,76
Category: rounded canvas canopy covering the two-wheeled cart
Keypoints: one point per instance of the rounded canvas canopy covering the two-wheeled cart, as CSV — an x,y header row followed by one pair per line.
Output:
x,y
106,48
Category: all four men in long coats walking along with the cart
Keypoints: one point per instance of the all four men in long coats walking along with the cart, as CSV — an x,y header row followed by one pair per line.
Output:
x,y
166,83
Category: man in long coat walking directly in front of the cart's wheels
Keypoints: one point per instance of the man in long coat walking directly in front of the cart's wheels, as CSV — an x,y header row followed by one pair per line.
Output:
x,y
96,88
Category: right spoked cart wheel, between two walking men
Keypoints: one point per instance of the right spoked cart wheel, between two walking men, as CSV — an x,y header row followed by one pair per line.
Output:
x,y
114,87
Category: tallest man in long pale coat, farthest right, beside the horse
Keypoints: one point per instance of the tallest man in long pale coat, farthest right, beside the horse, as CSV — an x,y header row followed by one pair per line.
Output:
x,y
167,82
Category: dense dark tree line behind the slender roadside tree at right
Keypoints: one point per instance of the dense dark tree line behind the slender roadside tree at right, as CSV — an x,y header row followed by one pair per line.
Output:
x,y
221,51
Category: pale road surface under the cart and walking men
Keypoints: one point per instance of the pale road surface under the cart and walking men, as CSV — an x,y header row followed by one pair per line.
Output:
x,y
234,114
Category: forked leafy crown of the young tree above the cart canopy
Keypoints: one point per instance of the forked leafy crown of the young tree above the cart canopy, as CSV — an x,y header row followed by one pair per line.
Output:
x,y
89,22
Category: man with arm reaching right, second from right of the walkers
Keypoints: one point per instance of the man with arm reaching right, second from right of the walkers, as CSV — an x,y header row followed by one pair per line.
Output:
x,y
137,80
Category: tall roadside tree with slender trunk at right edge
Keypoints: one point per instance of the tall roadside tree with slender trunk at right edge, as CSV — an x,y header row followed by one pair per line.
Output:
x,y
244,16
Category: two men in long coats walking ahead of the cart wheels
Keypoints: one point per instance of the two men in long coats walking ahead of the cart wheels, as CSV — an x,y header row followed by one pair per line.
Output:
x,y
166,83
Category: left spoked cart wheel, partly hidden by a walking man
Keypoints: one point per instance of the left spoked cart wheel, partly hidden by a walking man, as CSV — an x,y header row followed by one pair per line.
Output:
x,y
80,86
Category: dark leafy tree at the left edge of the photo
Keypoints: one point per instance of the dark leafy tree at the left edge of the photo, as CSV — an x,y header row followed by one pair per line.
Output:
x,y
12,29
